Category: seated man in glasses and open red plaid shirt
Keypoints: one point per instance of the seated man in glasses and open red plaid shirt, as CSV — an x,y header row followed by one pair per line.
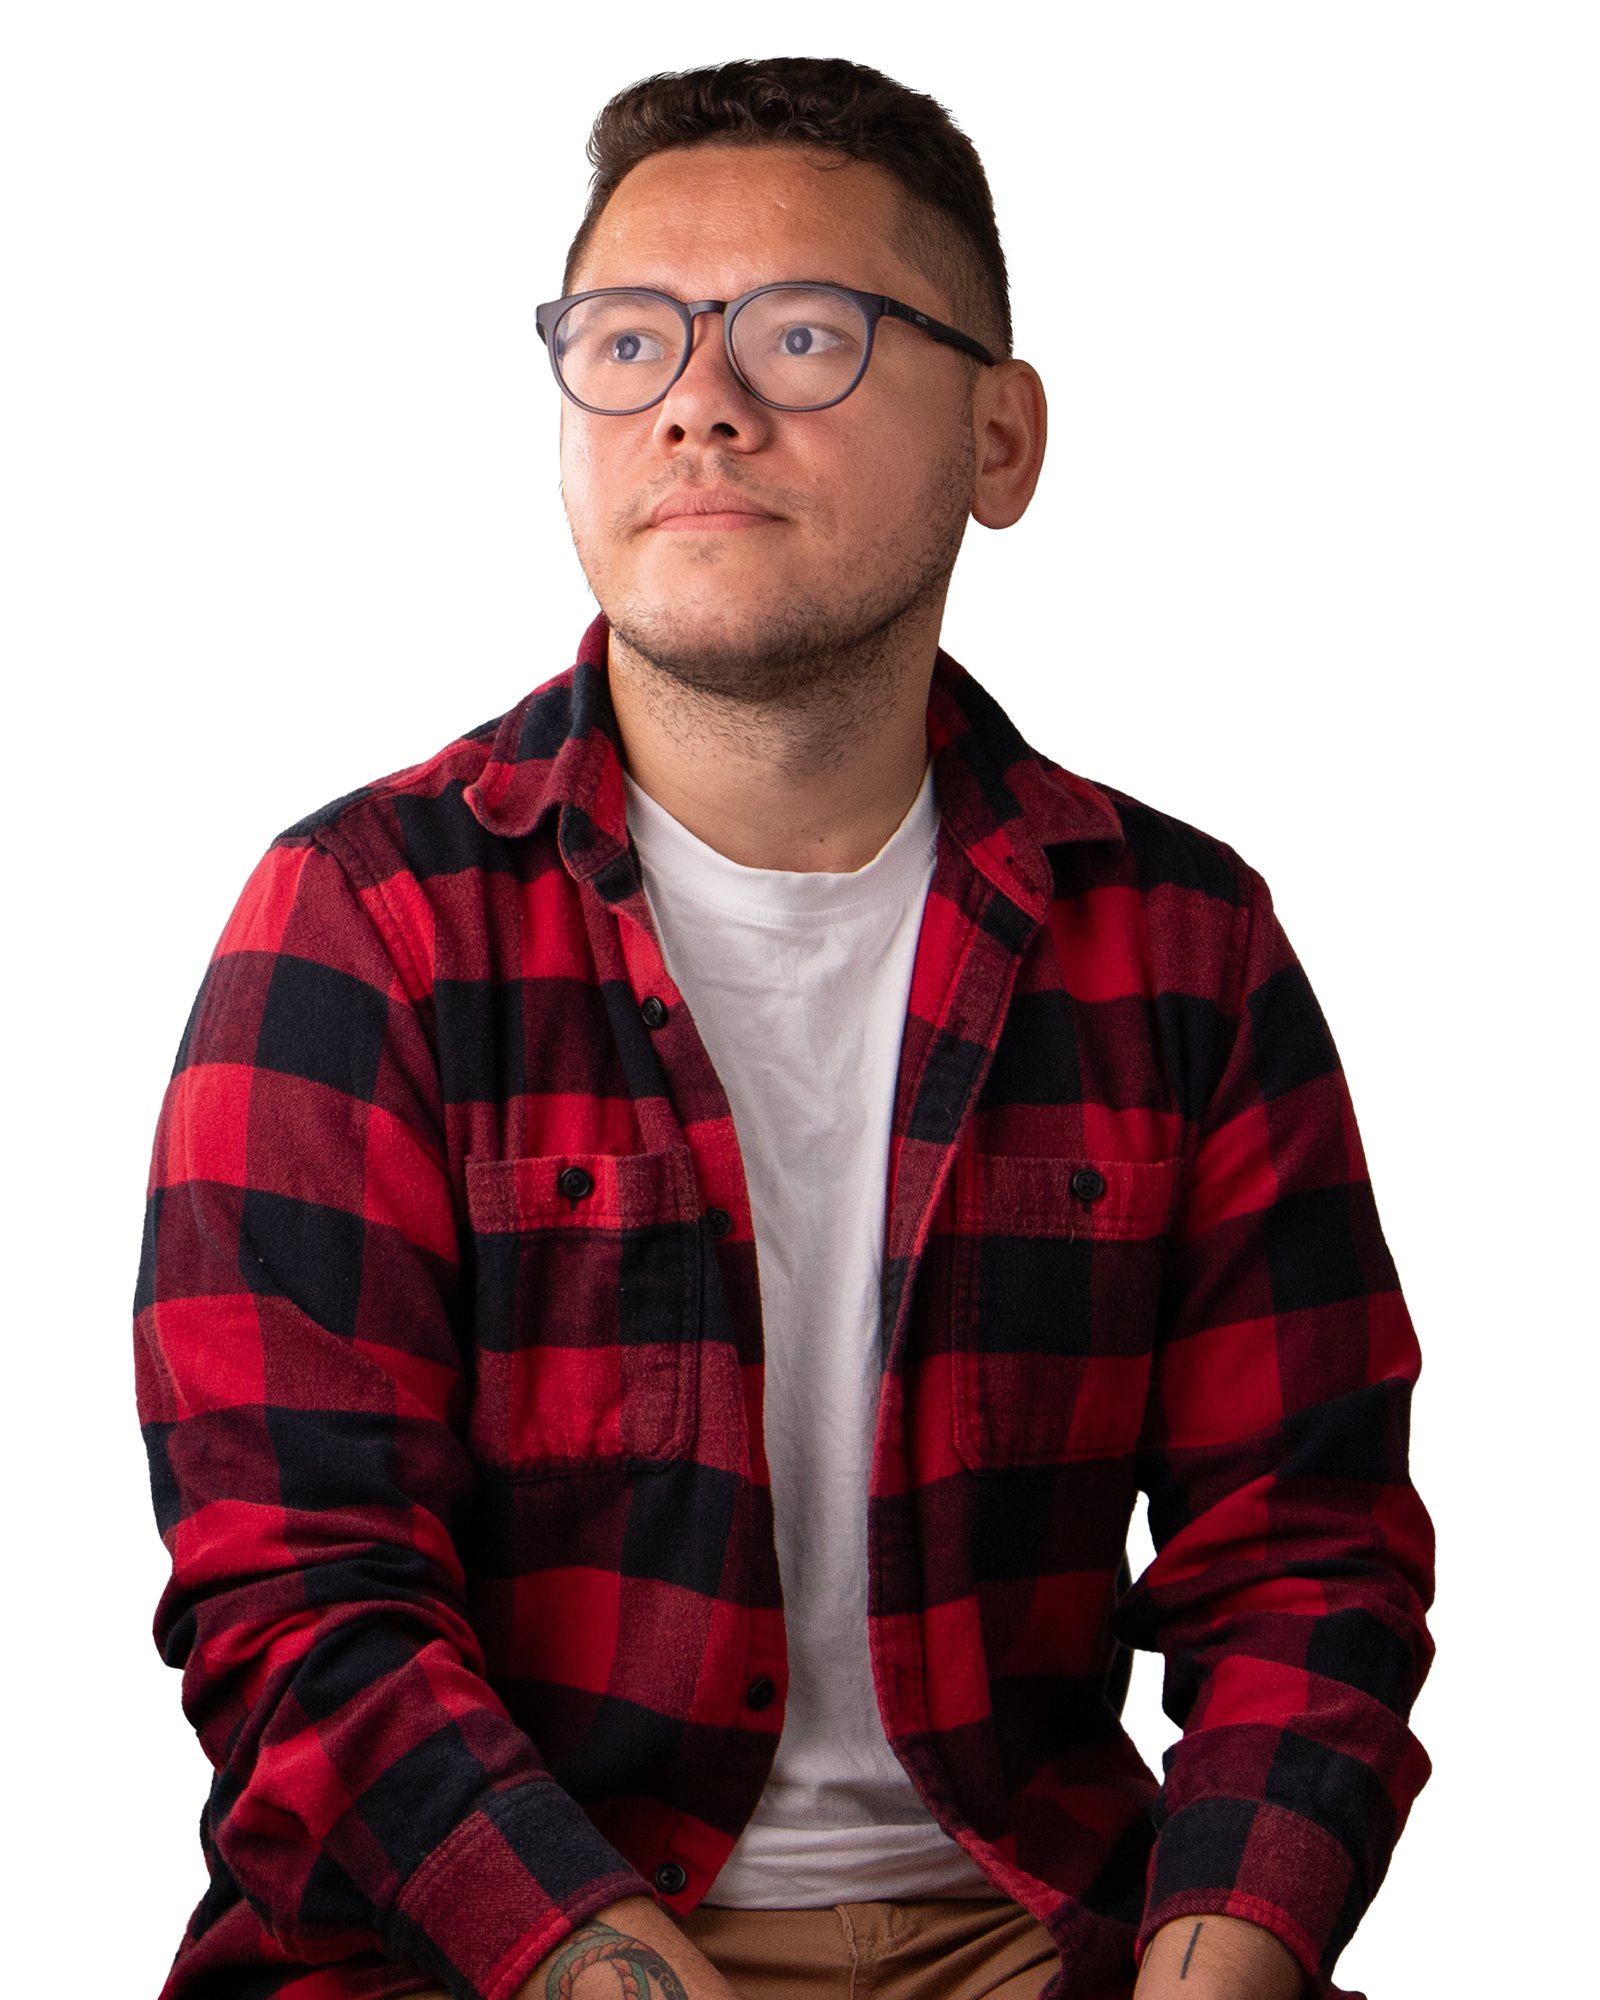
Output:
x,y
683,1225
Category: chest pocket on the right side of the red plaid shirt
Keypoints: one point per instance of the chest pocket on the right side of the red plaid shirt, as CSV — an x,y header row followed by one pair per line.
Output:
x,y
1055,1303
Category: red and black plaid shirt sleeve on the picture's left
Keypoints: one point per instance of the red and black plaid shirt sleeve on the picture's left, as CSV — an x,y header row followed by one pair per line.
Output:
x,y
301,1383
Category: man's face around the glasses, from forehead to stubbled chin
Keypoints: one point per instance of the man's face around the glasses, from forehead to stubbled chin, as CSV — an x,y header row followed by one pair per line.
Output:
x,y
831,523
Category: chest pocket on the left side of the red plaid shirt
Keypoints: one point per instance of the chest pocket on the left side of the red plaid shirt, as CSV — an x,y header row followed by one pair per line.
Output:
x,y
589,1311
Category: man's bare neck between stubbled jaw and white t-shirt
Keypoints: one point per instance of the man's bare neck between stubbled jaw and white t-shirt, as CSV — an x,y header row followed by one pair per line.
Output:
x,y
815,787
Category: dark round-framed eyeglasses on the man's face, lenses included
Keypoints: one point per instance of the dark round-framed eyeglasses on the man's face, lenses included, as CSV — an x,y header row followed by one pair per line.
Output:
x,y
795,347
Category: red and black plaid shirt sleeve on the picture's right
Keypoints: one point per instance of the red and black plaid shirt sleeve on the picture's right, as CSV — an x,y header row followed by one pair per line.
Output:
x,y
1293,1555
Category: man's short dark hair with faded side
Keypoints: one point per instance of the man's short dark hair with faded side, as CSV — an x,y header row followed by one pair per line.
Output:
x,y
835,107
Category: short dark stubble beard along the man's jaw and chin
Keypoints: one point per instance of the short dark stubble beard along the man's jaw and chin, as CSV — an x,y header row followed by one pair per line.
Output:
x,y
817,667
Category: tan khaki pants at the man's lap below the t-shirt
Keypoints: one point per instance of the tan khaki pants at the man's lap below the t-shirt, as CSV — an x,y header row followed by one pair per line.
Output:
x,y
883,1951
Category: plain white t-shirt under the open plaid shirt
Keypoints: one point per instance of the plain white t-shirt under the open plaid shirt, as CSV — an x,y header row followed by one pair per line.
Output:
x,y
799,987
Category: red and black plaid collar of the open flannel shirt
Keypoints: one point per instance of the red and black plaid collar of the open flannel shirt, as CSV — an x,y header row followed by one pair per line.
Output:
x,y
999,801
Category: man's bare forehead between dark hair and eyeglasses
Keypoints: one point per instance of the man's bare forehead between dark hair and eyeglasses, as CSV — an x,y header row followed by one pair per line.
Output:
x,y
717,217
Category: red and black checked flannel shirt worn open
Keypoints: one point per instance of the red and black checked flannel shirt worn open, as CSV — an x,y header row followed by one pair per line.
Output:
x,y
453,1387
